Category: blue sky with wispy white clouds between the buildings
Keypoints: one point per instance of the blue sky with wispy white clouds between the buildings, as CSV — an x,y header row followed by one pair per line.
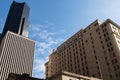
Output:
x,y
54,21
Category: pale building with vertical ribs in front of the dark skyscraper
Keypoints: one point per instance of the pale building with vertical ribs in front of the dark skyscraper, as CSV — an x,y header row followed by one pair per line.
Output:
x,y
16,55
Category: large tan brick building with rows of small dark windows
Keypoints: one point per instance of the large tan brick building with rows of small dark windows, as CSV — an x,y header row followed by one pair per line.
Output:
x,y
93,52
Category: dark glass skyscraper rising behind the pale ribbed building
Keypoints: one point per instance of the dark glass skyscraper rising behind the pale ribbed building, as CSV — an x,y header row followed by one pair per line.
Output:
x,y
17,19
